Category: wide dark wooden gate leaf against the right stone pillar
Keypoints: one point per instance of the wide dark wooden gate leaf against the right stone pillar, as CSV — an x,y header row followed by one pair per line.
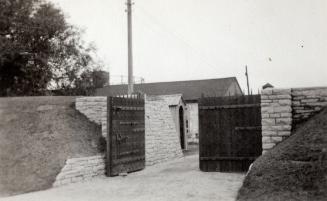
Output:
x,y
229,133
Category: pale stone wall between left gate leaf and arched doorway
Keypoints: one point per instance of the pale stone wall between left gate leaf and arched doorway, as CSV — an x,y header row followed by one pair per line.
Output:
x,y
161,139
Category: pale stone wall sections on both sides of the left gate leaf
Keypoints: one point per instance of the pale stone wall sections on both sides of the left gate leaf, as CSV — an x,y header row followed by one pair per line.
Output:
x,y
161,139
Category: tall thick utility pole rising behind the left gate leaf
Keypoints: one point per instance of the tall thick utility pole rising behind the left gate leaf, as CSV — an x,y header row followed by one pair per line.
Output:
x,y
130,48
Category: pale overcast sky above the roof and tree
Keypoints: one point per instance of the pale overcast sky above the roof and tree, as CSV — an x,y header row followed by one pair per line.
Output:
x,y
283,42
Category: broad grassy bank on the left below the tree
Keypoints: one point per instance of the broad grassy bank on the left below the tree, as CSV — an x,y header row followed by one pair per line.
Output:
x,y
37,135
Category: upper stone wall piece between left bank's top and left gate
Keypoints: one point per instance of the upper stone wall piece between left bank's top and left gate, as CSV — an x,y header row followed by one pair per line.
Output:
x,y
95,109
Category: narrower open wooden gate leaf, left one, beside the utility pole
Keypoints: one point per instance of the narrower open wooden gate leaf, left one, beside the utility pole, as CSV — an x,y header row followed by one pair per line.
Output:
x,y
126,134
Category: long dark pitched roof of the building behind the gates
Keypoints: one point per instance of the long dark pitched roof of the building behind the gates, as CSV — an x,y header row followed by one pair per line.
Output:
x,y
191,90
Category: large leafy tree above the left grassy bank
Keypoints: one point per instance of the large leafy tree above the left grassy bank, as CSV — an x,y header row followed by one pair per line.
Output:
x,y
39,50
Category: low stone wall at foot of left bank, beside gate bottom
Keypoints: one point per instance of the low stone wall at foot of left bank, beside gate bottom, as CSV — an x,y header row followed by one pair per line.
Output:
x,y
80,169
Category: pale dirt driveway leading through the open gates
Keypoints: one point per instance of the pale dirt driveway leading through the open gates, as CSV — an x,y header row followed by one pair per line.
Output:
x,y
173,181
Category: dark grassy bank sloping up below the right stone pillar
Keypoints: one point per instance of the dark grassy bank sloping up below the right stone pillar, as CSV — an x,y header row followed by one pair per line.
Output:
x,y
296,169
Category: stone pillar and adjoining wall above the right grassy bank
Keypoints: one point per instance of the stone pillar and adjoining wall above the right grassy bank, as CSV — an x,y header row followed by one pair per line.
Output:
x,y
282,110
